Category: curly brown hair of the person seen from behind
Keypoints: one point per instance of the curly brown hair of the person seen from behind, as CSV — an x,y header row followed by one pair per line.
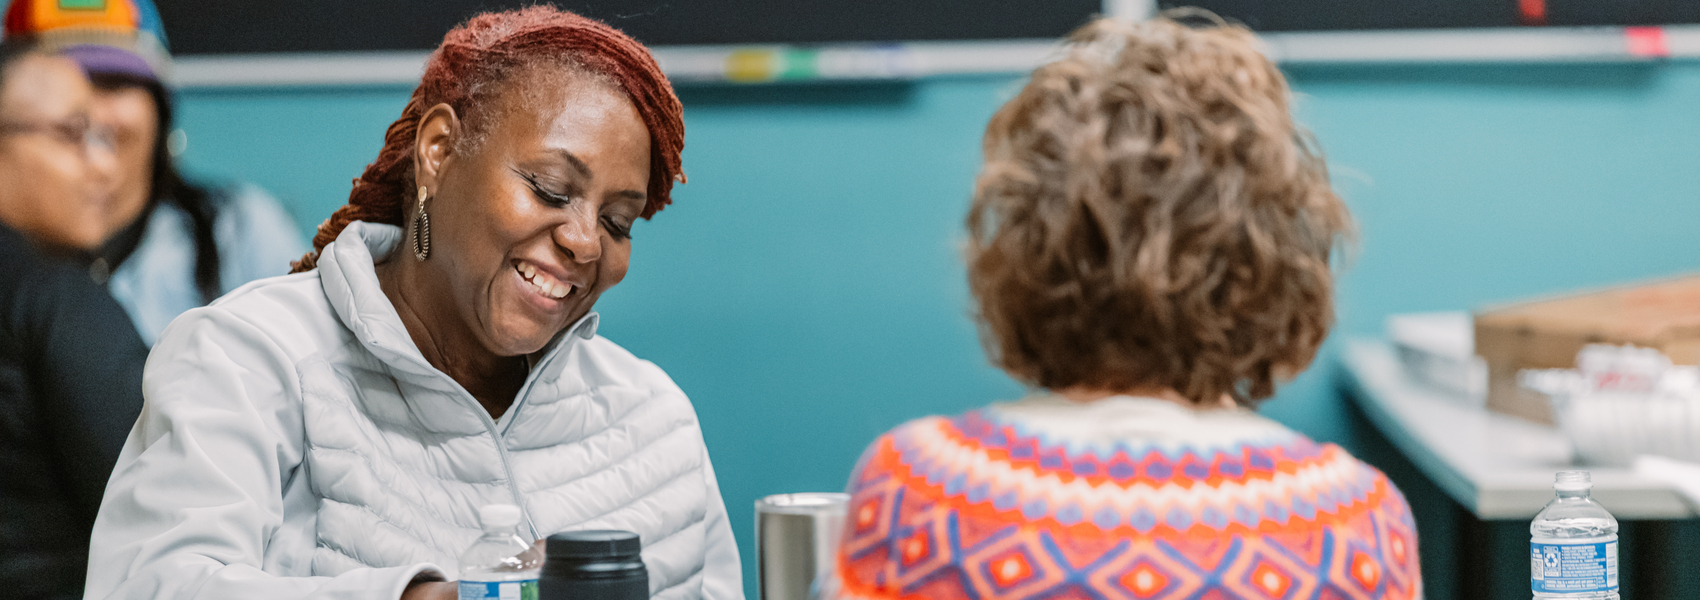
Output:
x,y
1150,217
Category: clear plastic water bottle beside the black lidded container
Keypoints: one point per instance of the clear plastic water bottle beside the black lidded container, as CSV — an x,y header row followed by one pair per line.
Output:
x,y
501,565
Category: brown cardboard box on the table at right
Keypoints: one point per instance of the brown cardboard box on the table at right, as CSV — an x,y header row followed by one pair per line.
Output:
x,y
1548,334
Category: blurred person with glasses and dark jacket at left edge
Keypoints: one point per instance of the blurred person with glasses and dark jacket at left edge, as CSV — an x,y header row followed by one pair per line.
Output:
x,y
71,361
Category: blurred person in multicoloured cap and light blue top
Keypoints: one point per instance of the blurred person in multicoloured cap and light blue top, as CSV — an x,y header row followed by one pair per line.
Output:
x,y
174,246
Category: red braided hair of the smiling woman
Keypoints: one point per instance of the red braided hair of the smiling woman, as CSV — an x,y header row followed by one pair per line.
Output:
x,y
473,62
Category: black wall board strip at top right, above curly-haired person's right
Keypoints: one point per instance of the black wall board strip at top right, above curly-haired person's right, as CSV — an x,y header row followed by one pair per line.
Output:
x,y
1446,14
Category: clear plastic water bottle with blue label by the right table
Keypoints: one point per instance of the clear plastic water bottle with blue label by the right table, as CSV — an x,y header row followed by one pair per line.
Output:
x,y
1573,545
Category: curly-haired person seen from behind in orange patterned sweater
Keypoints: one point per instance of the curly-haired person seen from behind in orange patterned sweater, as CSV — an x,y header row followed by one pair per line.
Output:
x,y
1150,247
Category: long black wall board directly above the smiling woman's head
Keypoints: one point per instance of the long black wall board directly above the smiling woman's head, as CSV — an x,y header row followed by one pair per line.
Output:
x,y
319,26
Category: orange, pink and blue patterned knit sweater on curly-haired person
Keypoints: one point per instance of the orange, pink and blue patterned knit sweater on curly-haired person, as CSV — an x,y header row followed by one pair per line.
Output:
x,y
1119,499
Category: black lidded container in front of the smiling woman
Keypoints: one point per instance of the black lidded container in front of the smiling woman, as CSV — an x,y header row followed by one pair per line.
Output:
x,y
594,565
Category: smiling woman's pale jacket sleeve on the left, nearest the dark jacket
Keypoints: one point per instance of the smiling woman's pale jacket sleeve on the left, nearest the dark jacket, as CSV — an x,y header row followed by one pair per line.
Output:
x,y
198,490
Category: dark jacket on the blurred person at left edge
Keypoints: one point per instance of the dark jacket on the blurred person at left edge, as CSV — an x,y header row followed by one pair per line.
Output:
x,y
71,390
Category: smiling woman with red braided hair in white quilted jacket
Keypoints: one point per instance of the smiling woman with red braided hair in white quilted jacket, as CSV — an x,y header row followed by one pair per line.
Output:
x,y
334,434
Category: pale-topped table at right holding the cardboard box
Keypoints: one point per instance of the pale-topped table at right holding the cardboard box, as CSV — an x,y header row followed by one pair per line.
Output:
x,y
1500,472
